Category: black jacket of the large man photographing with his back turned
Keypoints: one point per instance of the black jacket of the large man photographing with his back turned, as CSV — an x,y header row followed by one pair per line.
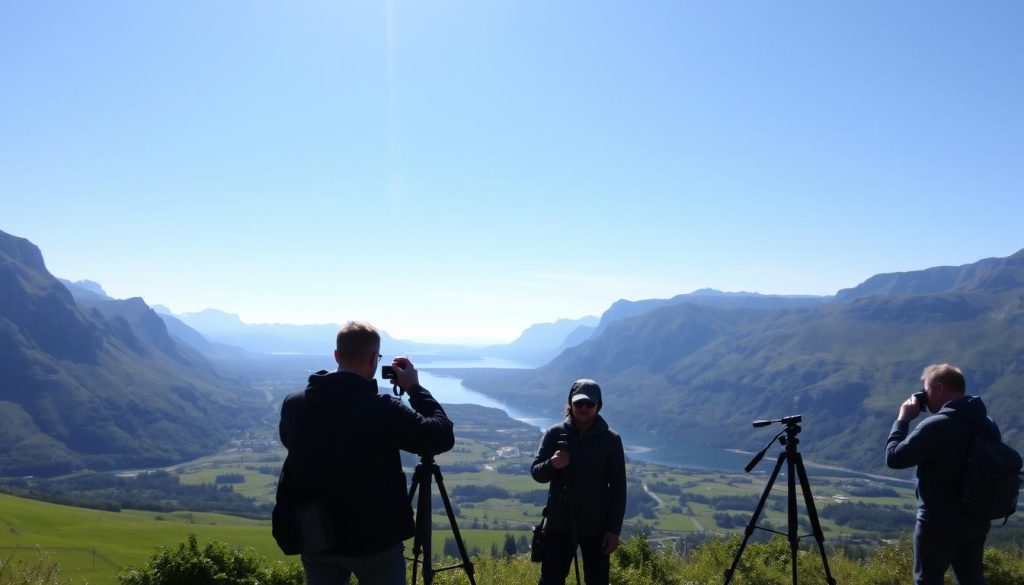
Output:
x,y
344,441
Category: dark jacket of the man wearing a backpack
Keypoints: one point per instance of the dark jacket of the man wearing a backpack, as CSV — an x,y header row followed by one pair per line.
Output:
x,y
938,446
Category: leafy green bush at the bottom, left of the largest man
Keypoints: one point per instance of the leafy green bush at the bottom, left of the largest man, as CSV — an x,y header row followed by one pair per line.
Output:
x,y
216,564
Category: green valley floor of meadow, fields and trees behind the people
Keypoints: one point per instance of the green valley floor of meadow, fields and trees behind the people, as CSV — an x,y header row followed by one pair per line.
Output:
x,y
487,476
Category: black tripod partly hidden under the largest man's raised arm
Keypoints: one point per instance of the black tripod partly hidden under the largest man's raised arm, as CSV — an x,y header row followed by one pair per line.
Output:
x,y
426,471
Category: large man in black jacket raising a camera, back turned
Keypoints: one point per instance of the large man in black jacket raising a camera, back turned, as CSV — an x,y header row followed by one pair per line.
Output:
x,y
343,499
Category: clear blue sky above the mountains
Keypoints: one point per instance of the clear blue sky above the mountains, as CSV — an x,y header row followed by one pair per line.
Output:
x,y
460,171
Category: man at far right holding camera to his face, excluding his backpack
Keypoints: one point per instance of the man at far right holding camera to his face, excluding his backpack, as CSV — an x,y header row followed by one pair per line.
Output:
x,y
946,534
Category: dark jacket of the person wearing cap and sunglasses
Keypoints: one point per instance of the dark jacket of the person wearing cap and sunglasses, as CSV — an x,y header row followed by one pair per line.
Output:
x,y
596,475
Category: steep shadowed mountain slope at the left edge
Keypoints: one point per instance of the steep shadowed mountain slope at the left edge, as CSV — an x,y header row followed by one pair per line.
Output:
x,y
100,384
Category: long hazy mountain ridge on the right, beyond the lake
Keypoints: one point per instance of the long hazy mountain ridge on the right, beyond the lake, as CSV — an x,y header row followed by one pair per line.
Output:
x,y
700,372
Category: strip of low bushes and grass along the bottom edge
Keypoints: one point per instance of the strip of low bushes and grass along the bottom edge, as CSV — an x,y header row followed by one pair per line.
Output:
x,y
635,564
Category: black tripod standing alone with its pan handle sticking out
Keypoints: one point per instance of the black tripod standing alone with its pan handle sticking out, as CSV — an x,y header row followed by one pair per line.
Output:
x,y
795,466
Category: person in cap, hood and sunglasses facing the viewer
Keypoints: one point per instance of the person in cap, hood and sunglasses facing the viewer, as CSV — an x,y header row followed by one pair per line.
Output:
x,y
584,462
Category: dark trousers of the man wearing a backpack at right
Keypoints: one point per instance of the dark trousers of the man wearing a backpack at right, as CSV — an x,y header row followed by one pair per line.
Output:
x,y
937,546
